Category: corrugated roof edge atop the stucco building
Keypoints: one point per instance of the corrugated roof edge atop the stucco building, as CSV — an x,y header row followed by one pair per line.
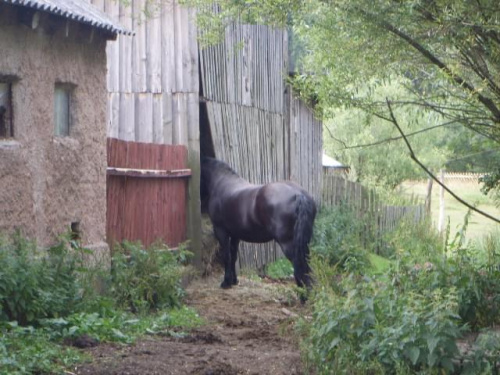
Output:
x,y
77,10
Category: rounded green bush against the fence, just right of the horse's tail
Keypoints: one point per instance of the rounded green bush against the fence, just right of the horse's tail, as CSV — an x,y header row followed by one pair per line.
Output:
x,y
338,239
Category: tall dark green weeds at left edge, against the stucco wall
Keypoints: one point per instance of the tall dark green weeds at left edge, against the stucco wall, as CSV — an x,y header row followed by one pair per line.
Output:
x,y
36,284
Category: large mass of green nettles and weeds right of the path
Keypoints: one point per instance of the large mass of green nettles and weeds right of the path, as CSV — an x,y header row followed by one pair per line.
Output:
x,y
410,317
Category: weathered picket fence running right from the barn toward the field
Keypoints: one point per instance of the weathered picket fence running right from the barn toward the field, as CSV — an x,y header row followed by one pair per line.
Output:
x,y
337,190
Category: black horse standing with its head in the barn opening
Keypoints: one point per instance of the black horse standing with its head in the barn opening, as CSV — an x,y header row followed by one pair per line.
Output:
x,y
241,211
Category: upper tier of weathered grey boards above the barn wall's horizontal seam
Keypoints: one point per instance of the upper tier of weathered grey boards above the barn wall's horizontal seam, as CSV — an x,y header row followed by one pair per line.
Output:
x,y
248,68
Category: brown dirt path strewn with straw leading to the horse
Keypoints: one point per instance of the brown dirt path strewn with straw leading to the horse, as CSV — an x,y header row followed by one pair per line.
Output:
x,y
245,334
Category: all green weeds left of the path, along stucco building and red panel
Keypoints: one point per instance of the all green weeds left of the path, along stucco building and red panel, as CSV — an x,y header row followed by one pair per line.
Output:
x,y
48,298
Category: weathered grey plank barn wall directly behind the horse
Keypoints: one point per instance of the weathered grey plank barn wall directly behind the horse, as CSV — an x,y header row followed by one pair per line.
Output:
x,y
261,131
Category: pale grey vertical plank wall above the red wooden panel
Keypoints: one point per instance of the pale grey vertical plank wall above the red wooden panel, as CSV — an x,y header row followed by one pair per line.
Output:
x,y
153,79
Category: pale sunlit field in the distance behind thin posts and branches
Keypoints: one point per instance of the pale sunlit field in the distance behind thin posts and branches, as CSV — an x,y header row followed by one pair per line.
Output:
x,y
468,191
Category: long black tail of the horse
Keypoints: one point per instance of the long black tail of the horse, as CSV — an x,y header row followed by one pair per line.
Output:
x,y
303,230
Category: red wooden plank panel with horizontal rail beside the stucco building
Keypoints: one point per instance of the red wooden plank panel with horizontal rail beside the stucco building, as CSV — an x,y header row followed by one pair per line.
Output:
x,y
146,192
